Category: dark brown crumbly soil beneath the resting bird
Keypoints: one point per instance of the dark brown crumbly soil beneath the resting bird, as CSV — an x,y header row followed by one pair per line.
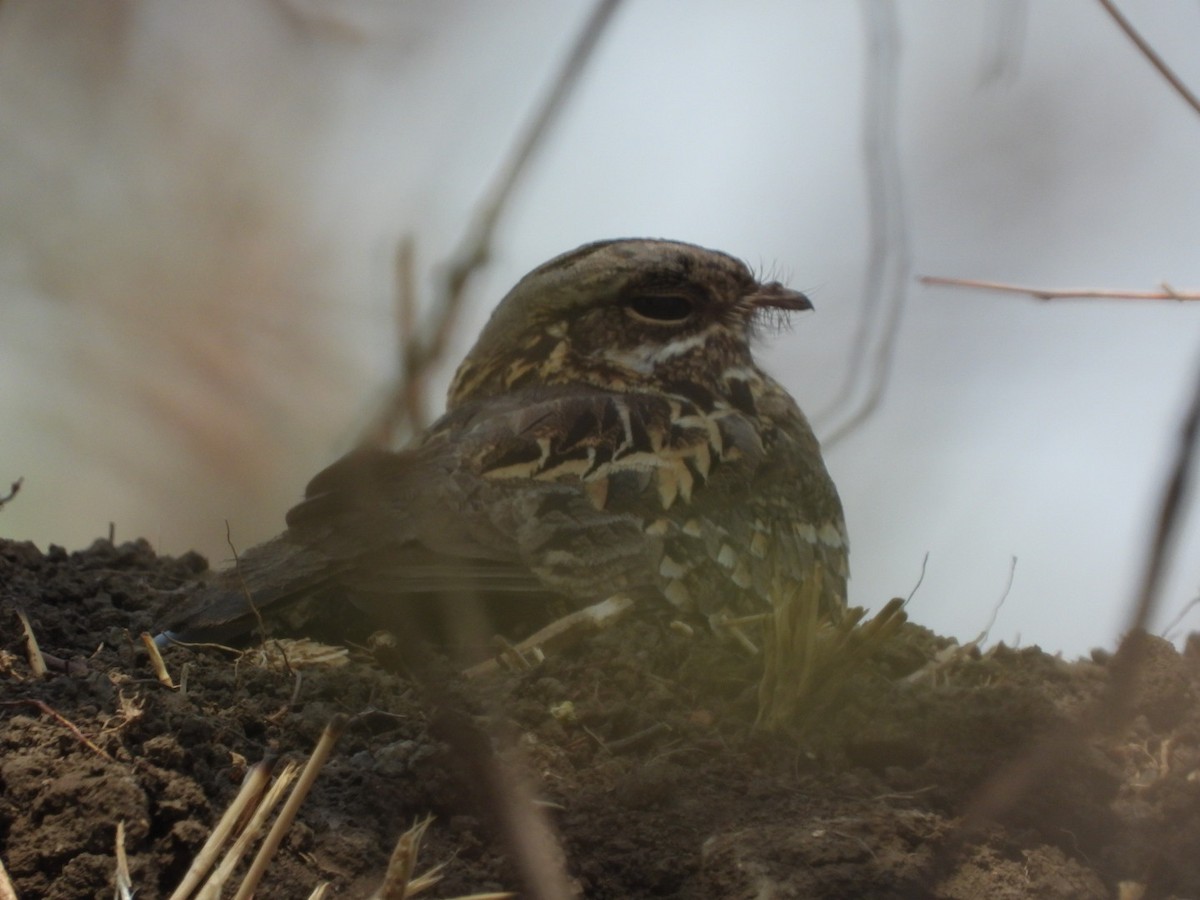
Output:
x,y
639,743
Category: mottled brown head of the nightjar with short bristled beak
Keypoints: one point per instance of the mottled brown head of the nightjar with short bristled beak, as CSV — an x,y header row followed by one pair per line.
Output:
x,y
626,315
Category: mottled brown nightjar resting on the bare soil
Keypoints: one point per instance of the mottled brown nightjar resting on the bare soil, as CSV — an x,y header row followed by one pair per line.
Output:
x,y
610,433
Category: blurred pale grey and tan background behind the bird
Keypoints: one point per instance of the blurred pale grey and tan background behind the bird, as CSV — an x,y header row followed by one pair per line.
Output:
x,y
201,207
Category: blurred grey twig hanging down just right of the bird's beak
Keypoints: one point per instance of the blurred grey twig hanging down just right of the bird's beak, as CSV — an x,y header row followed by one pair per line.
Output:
x,y
890,260
